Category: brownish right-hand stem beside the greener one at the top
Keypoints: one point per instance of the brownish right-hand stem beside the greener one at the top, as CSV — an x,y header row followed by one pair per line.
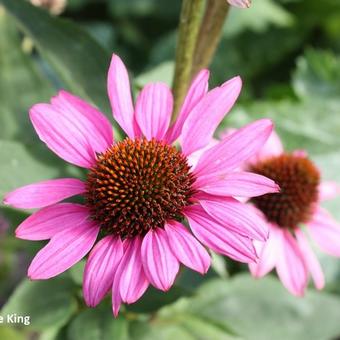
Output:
x,y
210,34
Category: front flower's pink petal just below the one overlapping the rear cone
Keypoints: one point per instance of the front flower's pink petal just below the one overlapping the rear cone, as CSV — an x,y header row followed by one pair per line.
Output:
x,y
237,217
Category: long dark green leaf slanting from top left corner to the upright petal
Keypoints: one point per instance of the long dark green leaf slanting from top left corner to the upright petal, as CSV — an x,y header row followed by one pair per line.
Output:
x,y
74,55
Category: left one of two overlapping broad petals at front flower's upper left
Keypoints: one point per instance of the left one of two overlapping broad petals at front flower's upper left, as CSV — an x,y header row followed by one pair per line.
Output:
x,y
65,135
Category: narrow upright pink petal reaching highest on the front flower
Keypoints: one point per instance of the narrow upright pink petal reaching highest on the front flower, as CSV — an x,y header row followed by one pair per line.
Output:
x,y
118,86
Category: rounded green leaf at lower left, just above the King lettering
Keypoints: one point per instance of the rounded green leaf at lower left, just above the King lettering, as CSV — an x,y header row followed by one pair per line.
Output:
x,y
47,303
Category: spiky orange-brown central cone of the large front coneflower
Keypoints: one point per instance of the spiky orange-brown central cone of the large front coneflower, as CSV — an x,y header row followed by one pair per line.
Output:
x,y
137,185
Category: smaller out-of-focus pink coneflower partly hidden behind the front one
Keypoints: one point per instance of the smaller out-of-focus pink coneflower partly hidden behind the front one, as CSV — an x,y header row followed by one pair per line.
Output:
x,y
290,213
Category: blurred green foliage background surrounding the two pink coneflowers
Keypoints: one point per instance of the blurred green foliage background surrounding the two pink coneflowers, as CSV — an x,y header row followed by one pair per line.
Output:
x,y
288,55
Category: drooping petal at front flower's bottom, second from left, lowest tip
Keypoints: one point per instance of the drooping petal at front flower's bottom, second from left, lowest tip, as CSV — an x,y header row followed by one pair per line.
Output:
x,y
130,278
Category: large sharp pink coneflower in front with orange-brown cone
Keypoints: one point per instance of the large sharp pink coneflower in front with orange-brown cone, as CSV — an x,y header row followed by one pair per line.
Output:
x,y
139,191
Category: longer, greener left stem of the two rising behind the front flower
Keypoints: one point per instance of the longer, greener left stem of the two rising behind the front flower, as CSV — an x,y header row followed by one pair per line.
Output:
x,y
190,20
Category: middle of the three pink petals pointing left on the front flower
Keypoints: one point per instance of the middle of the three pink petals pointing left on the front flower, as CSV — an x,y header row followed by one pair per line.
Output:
x,y
49,221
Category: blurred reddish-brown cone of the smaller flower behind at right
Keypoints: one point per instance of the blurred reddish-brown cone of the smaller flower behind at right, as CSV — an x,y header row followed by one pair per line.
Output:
x,y
298,179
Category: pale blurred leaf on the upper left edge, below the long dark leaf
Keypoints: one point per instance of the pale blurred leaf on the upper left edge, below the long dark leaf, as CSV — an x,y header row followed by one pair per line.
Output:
x,y
21,83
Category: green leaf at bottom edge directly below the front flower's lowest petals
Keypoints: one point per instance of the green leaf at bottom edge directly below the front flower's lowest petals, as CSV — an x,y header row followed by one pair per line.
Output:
x,y
98,324
